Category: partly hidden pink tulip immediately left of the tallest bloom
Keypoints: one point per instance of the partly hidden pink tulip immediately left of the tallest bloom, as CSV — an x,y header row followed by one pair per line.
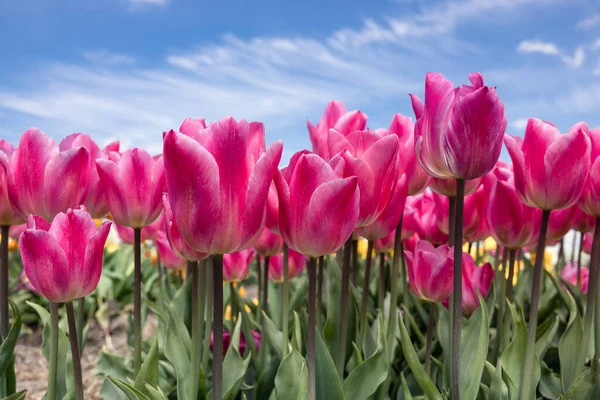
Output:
x,y
416,177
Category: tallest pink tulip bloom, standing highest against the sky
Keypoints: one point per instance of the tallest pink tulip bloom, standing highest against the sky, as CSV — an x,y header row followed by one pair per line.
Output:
x,y
459,131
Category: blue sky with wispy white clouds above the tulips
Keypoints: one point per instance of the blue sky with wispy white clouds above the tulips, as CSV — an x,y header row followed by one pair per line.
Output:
x,y
130,69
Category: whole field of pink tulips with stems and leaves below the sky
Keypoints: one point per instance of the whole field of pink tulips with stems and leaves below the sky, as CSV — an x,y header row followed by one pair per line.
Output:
x,y
406,262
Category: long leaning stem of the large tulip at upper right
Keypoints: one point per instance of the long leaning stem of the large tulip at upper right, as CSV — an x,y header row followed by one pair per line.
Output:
x,y
533,308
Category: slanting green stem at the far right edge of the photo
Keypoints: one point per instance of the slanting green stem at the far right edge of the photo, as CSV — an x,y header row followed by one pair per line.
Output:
x,y
590,299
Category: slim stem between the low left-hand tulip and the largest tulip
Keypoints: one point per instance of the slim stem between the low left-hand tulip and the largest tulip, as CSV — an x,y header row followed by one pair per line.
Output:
x,y
137,299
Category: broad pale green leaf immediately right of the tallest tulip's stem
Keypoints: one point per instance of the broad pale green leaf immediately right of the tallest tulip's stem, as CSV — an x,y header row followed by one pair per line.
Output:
x,y
474,340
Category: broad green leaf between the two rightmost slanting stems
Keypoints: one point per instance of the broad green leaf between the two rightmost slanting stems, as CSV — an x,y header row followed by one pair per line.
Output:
x,y
568,345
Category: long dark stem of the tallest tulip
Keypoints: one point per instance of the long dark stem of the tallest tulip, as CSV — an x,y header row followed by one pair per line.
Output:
x,y
457,292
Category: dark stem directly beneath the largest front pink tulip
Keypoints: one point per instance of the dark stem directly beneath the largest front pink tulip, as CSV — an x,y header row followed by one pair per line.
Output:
x,y
217,325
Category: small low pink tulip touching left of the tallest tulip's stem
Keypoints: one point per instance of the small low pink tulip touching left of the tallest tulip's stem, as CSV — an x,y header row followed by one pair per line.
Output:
x,y
430,271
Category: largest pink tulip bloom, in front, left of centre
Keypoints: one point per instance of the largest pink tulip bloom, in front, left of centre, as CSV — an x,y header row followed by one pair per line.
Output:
x,y
218,181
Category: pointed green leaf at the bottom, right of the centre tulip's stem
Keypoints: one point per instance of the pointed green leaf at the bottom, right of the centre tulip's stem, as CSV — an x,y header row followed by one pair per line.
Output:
x,y
328,381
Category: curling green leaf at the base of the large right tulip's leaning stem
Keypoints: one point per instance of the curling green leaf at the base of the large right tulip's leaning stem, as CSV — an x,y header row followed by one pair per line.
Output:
x,y
513,357
